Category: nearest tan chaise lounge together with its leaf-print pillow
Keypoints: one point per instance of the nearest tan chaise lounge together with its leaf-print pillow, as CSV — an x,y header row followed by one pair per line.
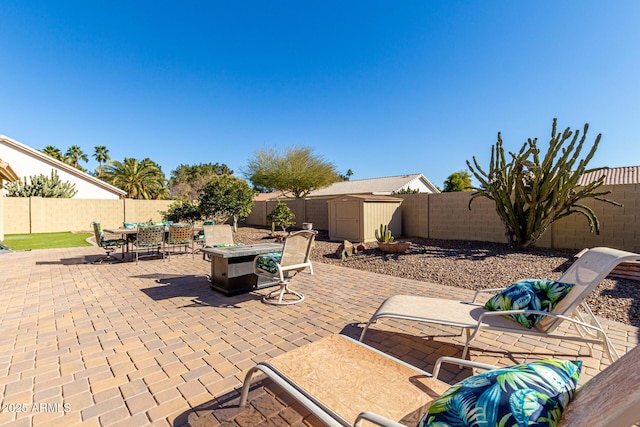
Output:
x,y
344,382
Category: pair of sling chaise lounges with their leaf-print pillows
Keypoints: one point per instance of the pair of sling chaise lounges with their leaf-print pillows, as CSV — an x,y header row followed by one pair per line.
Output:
x,y
345,382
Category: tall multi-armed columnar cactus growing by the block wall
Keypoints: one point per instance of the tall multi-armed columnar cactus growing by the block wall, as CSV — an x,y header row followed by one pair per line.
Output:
x,y
531,193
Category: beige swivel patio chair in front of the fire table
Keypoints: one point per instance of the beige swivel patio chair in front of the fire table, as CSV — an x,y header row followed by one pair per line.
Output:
x,y
282,266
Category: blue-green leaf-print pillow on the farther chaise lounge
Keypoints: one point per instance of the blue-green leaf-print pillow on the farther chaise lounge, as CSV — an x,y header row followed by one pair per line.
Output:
x,y
529,294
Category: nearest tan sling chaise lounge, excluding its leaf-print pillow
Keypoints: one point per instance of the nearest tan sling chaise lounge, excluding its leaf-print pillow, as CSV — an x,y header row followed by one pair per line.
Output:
x,y
344,382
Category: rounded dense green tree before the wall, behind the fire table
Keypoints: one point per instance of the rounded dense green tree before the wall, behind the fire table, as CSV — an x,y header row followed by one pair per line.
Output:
x,y
226,196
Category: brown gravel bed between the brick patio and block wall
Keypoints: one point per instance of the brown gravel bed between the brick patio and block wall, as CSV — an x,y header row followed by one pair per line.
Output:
x,y
472,265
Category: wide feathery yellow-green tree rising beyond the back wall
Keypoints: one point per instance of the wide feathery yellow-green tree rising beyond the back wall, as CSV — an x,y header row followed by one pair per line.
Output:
x,y
297,172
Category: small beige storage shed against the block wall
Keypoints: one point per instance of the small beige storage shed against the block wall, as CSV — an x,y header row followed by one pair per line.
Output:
x,y
356,217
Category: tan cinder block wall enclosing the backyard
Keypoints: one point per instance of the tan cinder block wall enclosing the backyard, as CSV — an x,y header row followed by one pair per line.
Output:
x,y
436,216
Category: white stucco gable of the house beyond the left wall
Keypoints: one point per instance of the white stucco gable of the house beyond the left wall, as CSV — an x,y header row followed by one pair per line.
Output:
x,y
26,162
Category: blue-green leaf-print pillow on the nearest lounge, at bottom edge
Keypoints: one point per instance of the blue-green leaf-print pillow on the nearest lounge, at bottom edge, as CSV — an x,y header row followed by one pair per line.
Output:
x,y
531,394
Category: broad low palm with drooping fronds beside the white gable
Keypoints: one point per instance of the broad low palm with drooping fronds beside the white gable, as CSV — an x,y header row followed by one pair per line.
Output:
x,y
140,179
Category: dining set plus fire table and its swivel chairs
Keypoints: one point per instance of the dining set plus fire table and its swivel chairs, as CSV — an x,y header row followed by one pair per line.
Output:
x,y
235,268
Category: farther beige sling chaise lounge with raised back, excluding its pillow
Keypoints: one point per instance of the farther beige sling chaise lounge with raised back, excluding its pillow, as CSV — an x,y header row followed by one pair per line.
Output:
x,y
584,274
